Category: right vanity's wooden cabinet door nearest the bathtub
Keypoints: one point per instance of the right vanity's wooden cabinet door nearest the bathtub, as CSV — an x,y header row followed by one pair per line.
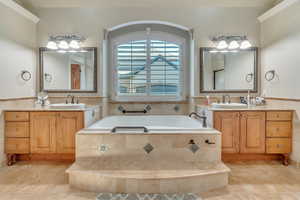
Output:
x,y
228,124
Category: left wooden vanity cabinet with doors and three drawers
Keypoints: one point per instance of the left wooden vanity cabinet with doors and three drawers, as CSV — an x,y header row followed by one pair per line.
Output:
x,y
44,133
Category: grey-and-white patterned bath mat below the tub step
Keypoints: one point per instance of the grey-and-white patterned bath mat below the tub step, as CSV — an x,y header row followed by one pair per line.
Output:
x,y
137,196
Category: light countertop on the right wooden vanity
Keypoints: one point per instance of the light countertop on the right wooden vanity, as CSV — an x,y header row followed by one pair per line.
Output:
x,y
251,108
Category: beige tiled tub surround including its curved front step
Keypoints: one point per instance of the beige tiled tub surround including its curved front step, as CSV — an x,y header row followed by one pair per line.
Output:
x,y
120,163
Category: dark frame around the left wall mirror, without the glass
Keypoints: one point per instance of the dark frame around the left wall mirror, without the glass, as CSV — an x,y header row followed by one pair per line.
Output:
x,y
41,68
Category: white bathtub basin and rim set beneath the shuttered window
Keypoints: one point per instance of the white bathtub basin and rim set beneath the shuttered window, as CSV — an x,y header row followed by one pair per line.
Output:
x,y
149,124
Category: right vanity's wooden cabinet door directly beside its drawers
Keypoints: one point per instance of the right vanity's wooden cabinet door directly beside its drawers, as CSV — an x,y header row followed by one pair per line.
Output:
x,y
253,132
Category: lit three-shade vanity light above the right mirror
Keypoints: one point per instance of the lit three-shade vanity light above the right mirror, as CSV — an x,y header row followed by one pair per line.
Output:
x,y
231,42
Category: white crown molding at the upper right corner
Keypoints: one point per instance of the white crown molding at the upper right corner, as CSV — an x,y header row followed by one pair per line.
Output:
x,y
276,9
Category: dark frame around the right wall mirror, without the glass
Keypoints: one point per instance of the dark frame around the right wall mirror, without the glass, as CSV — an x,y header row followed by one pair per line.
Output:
x,y
254,90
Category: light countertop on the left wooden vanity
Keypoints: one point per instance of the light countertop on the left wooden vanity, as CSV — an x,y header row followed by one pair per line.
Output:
x,y
45,108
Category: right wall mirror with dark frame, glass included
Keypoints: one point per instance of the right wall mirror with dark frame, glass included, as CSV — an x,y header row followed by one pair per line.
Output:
x,y
228,71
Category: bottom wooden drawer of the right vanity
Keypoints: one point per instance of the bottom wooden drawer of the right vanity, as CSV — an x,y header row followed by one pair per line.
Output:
x,y
278,145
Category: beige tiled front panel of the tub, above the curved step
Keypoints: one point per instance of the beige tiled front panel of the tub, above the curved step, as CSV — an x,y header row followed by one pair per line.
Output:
x,y
165,146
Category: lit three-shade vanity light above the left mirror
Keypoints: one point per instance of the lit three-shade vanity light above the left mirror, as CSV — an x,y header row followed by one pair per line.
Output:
x,y
62,43
